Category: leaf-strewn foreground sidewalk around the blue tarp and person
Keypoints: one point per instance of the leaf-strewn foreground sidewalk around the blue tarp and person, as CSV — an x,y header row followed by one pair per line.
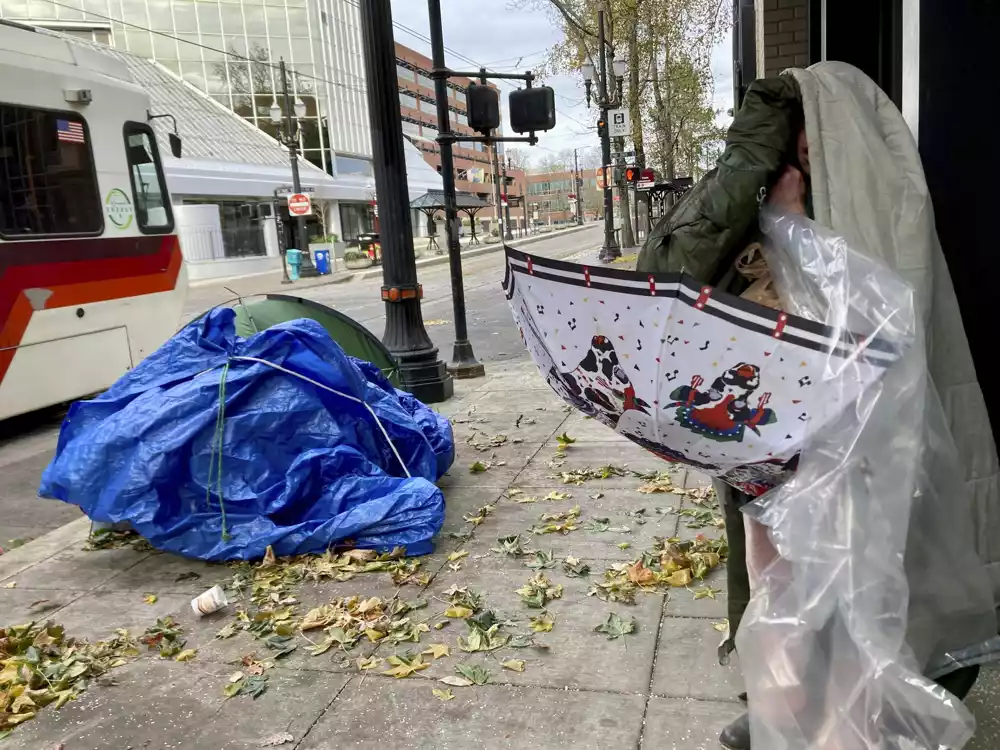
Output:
x,y
658,687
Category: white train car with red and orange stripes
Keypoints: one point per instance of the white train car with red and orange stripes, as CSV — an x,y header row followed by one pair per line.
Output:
x,y
91,274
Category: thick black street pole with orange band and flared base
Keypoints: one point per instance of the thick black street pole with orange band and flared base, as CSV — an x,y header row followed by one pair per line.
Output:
x,y
422,373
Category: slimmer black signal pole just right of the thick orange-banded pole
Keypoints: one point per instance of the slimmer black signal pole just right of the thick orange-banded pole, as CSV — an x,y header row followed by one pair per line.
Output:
x,y
464,363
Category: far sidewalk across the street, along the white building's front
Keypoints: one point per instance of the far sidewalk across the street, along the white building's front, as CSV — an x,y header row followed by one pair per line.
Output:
x,y
203,295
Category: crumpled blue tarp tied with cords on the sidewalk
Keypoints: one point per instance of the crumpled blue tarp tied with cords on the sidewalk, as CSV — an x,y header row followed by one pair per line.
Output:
x,y
301,468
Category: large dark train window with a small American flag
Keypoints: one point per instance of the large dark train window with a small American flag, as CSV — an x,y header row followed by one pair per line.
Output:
x,y
48,185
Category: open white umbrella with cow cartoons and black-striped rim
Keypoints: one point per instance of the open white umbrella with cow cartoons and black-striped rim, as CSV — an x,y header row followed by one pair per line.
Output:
x,y
696,376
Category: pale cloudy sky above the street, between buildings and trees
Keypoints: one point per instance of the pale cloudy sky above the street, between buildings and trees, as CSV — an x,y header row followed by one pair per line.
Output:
x,y
498,37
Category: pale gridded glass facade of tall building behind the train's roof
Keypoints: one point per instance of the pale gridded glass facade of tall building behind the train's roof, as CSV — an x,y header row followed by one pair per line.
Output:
x,y
230,48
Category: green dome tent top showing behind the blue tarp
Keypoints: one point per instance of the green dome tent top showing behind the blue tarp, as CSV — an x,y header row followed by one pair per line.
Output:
x,y
254,314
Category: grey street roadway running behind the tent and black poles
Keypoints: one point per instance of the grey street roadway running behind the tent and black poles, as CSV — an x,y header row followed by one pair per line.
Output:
x,y
27,443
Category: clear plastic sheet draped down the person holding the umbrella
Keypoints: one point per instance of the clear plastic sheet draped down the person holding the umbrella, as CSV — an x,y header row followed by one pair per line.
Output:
x,y
864,574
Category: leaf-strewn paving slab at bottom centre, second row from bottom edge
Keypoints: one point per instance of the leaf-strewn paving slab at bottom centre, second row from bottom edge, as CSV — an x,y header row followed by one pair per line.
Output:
x,y
577,657
